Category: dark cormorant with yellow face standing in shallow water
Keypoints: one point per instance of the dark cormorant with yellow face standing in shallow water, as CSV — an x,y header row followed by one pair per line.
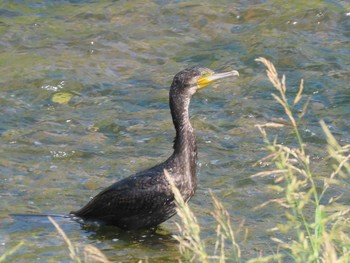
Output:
x,y
145,199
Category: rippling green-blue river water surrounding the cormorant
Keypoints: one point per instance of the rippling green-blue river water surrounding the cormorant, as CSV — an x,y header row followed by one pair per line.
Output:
x,y
118,59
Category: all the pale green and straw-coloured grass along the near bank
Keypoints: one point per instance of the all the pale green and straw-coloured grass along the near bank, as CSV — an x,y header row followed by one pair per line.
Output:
x,y
317,223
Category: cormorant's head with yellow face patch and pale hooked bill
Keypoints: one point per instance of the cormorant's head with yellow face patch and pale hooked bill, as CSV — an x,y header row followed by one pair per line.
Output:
x,y
192,79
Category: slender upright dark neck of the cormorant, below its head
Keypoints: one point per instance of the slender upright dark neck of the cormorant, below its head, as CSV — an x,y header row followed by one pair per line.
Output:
x,y
185,140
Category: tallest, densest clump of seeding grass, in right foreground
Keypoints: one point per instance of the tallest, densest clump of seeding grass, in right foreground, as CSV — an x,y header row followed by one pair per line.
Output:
x,y
318,227
